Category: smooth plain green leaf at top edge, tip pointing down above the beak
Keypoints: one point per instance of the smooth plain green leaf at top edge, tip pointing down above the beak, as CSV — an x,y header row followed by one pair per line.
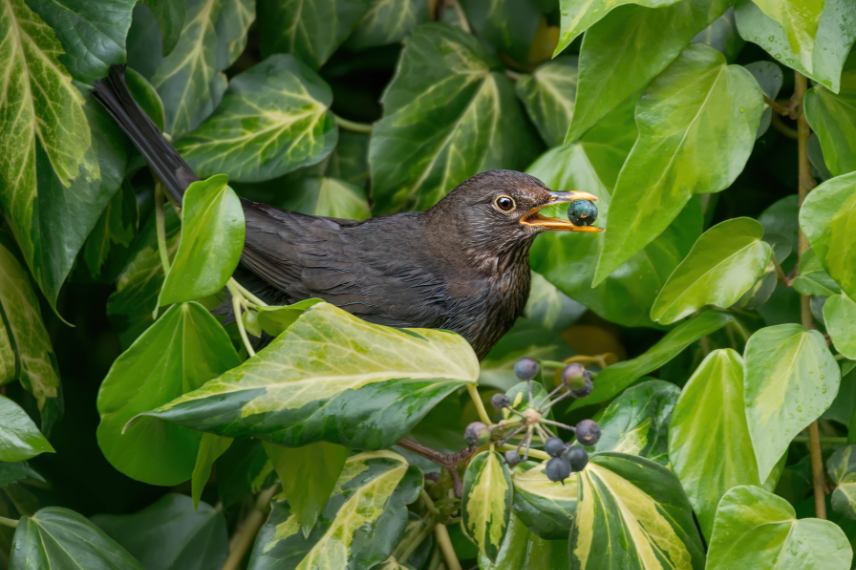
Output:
x,y
621,54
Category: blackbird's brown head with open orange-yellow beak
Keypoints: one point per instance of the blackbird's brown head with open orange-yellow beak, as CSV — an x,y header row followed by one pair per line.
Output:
x,y
499,210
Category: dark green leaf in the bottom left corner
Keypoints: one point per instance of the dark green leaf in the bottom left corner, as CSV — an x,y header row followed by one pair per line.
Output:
x,y
55,537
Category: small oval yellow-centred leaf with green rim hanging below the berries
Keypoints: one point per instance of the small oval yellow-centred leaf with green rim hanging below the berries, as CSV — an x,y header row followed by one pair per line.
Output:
x,y
486,503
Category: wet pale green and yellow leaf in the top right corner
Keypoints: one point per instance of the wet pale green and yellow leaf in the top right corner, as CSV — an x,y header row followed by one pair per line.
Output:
x,y
810,36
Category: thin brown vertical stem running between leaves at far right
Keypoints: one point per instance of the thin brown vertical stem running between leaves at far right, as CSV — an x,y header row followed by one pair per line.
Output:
x,y
804,184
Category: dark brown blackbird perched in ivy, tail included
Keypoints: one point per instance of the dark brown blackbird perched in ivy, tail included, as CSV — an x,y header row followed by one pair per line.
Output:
x,y
461,265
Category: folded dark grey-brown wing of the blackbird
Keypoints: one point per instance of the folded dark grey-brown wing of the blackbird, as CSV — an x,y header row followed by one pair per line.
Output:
x,y
364,269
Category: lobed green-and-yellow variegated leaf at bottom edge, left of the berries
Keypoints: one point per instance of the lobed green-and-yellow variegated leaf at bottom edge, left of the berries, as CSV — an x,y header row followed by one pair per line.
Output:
x,y
359,526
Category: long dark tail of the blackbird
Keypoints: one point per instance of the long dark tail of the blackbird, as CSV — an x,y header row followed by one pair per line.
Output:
x,y
167,164
